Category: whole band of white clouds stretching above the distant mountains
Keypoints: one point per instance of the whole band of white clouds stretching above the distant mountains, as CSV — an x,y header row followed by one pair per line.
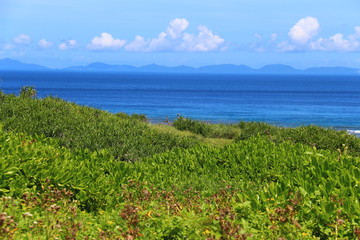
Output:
x,y
302,36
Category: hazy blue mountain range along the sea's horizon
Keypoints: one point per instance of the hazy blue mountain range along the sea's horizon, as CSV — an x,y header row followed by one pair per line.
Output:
x,y
13,65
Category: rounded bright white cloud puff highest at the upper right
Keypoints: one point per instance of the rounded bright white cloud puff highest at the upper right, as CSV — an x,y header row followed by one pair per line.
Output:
x,y
304,30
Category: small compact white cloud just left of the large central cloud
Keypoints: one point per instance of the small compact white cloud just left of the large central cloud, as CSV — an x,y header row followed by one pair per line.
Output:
x,y
106,42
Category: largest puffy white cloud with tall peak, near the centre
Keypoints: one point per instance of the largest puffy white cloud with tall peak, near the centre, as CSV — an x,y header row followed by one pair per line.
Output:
x,y
174,38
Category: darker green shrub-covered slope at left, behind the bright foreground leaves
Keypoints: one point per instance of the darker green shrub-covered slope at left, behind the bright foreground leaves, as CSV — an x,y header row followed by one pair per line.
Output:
x,y
83,127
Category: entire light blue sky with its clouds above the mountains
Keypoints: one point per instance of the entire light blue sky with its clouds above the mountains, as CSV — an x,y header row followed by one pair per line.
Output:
x,y
181,32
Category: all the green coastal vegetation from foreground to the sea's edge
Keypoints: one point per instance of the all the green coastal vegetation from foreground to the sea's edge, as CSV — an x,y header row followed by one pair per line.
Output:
x,y
72,172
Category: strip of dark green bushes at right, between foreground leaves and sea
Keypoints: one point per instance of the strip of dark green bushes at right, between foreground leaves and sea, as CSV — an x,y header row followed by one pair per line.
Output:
x,y
321,138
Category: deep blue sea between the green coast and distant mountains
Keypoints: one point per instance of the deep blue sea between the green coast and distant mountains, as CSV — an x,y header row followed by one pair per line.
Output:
x,y
330,101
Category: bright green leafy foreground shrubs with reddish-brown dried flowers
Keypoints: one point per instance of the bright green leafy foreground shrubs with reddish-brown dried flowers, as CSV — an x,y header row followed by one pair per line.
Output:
x,y
254,188
